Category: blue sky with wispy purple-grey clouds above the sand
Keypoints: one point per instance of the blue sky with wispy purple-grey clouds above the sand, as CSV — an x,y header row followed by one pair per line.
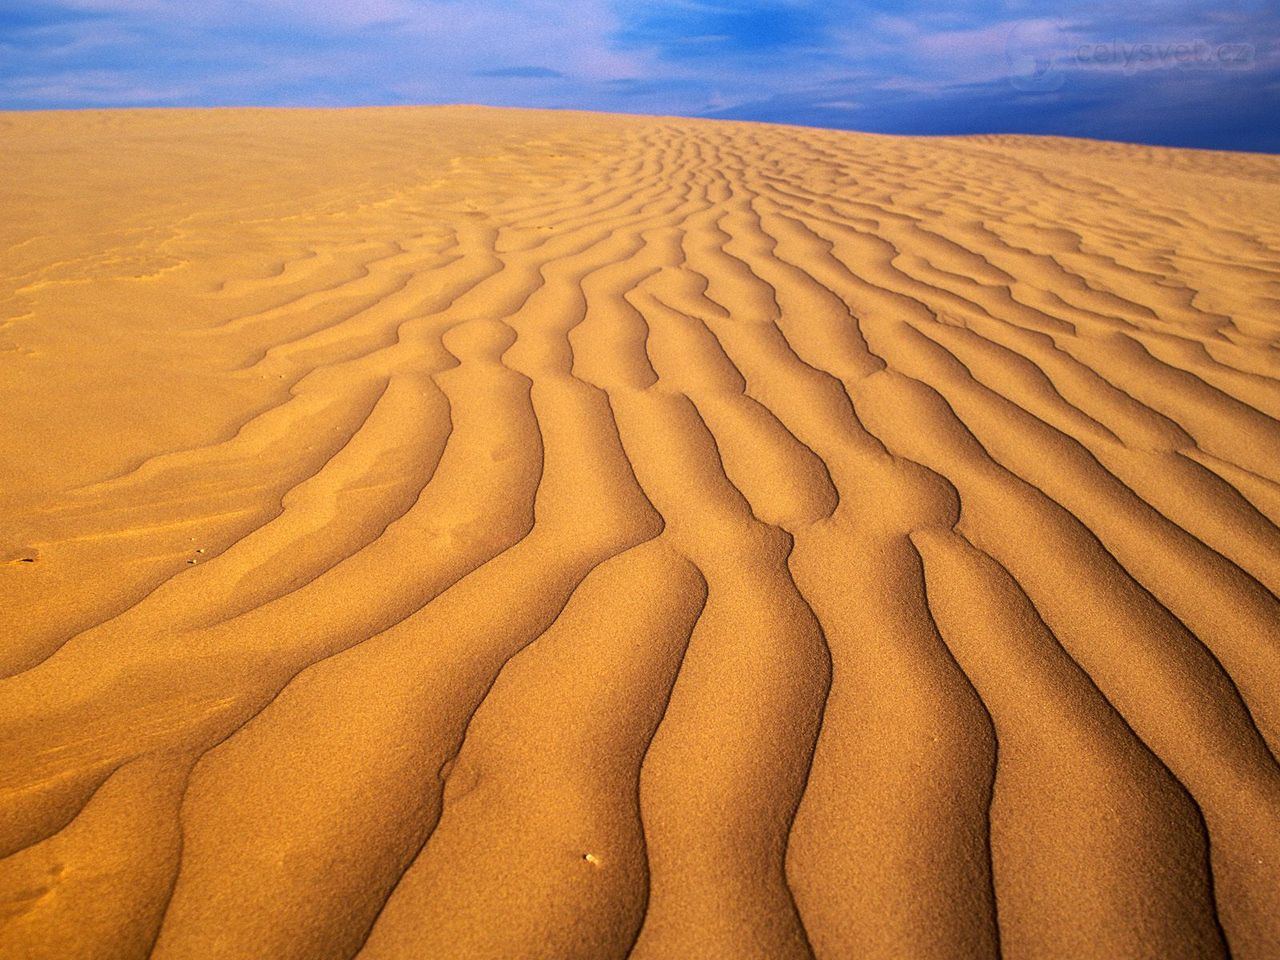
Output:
x,y
1149,71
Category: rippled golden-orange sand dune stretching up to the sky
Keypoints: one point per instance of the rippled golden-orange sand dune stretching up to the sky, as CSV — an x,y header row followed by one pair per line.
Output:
x,y
456,533
